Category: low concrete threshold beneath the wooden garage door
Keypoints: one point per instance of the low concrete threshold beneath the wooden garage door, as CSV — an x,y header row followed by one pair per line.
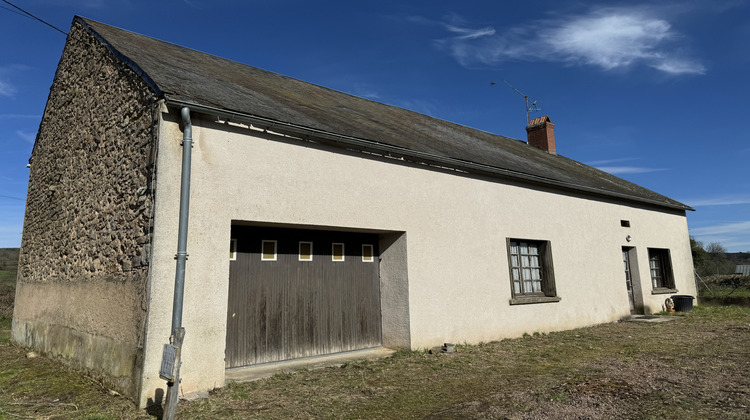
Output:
x,y
265,370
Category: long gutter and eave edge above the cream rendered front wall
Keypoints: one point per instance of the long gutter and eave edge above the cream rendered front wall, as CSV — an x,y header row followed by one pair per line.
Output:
x,y
373,146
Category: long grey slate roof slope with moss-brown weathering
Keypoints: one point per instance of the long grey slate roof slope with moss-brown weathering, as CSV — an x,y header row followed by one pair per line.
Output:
x,y
183,75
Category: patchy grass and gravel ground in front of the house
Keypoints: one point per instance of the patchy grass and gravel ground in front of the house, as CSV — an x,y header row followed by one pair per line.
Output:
x,y
692,368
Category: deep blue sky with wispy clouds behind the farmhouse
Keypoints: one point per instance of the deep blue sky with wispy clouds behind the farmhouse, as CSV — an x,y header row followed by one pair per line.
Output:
x,y
655,93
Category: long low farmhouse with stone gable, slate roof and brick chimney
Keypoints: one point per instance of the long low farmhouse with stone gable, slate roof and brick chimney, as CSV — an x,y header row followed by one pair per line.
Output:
x,y
319,223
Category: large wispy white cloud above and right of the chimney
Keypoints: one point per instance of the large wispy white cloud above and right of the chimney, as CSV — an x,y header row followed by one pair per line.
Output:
x,y
614,38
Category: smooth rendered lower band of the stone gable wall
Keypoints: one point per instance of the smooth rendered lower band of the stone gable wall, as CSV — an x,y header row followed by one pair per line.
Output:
x,y
89,326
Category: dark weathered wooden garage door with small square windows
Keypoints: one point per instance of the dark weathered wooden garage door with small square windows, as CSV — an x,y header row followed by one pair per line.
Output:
x,y
297,293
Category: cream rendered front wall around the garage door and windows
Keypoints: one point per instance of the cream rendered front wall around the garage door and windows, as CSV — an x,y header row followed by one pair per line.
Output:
x,y
456,229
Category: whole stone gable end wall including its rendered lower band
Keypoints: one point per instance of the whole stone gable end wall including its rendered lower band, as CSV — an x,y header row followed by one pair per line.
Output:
x,y
85,251
